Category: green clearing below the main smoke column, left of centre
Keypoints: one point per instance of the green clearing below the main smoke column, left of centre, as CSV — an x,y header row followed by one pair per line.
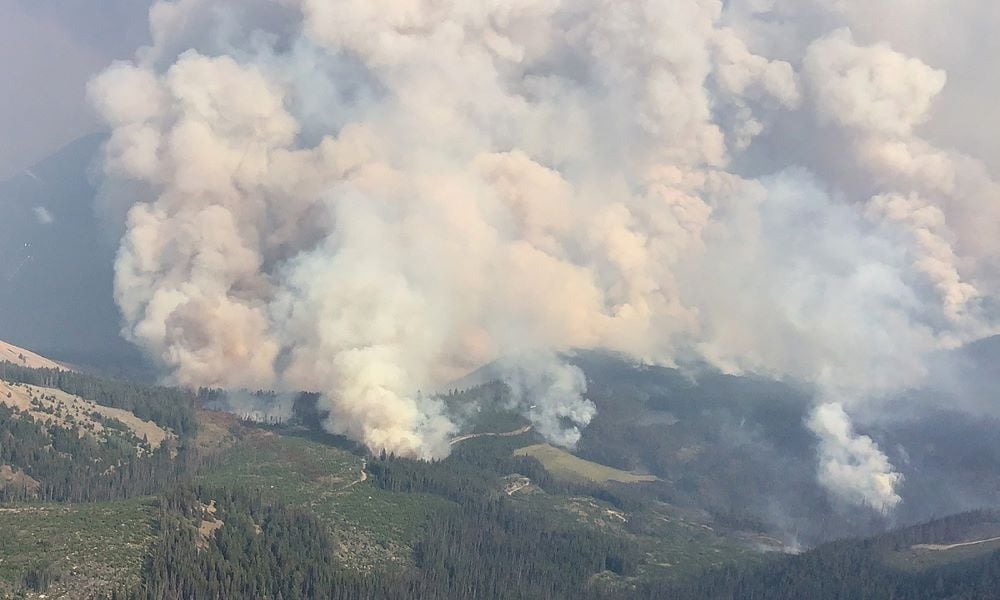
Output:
x,y
373,528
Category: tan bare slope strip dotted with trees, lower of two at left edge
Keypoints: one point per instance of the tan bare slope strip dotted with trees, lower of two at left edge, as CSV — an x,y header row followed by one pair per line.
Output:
x,y
49,405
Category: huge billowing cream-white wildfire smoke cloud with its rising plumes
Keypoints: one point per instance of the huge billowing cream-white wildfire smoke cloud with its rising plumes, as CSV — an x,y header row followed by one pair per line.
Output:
x,y
370,198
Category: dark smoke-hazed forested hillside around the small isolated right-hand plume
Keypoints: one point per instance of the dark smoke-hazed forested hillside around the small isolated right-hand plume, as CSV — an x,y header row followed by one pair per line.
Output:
x,y
738,447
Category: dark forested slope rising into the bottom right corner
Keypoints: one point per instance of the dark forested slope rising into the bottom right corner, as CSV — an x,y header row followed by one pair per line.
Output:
x,y
925,562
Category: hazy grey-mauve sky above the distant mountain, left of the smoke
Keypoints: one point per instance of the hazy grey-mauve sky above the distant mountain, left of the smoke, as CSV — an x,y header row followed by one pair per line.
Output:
x,y
49,49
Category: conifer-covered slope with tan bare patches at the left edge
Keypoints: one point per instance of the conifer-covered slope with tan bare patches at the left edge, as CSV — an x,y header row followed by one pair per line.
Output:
x,y
55,449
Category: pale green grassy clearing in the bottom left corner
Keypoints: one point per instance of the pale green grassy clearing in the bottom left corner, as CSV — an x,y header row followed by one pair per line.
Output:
x,y
92,547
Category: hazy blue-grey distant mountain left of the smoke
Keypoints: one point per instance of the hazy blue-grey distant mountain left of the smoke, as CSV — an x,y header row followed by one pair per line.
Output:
x,y
56,273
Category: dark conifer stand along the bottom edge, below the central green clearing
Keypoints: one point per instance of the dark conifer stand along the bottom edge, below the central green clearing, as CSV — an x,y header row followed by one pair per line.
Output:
x,y
271,551
